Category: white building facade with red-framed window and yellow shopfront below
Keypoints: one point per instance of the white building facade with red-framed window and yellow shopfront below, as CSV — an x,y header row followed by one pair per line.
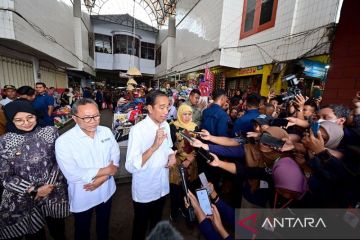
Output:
x,y
251,43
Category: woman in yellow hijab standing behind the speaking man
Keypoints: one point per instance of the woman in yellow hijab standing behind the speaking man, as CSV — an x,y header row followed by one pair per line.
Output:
x,y
185,156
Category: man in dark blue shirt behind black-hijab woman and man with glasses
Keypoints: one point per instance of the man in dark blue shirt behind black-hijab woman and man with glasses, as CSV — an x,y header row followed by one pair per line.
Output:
x,y
44,104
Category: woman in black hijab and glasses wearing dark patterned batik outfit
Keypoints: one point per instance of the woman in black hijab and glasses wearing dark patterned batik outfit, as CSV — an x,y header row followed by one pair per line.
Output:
x,y
34,188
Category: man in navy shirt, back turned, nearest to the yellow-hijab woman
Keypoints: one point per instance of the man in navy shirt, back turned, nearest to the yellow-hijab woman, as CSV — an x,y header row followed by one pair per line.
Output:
x,y
215,119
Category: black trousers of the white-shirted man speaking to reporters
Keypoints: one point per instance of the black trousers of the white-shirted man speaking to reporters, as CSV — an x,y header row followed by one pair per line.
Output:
x,y
146,215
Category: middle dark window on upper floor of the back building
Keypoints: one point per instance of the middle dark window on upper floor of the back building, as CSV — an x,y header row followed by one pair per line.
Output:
x,y
124,44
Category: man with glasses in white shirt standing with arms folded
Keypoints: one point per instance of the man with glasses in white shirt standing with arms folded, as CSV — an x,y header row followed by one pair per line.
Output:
x,y
88,155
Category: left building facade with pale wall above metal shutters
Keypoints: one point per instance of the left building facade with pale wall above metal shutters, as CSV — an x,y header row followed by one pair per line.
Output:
x,y
32,48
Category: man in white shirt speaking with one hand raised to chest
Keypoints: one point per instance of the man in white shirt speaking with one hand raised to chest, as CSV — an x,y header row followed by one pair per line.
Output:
x,y
149,156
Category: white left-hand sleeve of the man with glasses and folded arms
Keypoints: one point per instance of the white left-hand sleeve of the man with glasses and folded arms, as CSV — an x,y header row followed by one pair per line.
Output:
x,y
68,165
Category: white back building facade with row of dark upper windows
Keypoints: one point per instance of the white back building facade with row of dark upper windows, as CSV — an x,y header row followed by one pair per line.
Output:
x,y
119,45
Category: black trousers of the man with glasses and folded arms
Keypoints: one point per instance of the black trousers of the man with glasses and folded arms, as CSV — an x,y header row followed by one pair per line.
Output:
x,y
83,222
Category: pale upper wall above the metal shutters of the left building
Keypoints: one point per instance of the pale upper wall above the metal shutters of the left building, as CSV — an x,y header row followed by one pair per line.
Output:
x,y
50,30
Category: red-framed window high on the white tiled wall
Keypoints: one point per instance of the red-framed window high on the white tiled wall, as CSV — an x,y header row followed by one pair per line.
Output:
x,y
258,15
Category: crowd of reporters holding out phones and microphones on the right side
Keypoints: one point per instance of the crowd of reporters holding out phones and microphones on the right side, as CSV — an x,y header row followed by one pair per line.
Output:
x,y
295,153
